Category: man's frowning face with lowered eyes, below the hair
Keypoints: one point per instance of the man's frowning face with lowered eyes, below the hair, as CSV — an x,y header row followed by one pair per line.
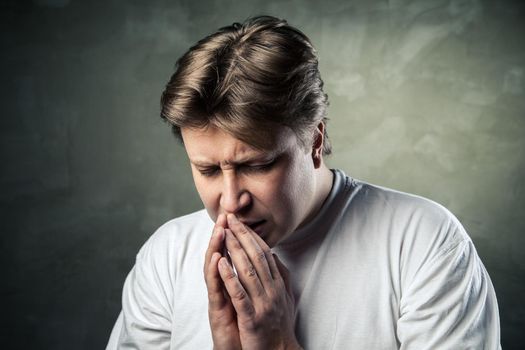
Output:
x,y
271,191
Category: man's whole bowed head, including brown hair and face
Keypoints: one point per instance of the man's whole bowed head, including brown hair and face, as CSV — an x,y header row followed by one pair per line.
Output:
x,y
248,104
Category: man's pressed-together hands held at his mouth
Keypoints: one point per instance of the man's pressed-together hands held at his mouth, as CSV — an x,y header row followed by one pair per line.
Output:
x,y
252,307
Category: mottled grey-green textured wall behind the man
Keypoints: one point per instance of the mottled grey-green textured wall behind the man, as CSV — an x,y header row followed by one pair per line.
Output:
x,y
426,96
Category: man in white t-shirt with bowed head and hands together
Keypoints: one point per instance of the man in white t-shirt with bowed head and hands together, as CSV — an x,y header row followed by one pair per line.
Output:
x,y
295,255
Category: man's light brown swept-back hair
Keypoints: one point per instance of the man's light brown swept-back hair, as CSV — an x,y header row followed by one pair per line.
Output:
x,y
249,79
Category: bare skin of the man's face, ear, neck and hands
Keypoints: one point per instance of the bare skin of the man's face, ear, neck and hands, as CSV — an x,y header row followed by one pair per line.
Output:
x,y
257,198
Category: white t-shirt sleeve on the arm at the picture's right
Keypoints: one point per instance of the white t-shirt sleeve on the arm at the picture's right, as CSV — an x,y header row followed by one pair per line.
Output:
x,y
450,303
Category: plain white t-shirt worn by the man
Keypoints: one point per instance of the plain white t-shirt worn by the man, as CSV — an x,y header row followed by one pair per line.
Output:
x,y
376,269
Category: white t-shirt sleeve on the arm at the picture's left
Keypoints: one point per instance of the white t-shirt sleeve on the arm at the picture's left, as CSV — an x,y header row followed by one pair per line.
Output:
x,y
145,320
